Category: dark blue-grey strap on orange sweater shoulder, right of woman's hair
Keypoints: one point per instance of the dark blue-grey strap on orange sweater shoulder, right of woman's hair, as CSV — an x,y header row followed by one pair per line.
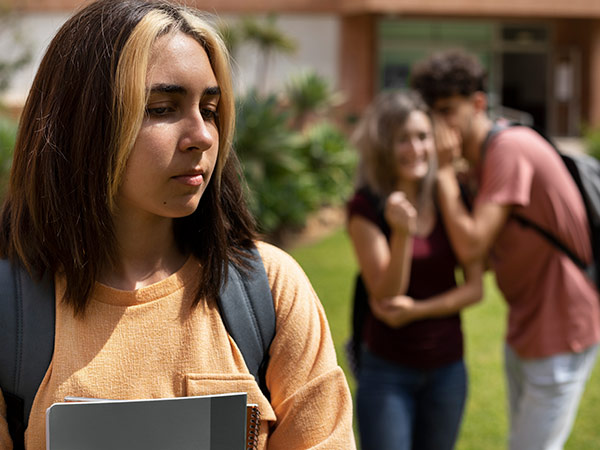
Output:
x,y
247,310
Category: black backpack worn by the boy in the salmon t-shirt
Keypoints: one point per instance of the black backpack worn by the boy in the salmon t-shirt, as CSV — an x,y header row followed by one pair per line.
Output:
x,y
585,171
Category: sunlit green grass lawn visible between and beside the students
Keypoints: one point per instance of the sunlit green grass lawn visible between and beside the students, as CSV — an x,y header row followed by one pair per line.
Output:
x,y
331,266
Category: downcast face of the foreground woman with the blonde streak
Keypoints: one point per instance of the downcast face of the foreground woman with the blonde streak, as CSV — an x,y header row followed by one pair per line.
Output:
x,y
176,150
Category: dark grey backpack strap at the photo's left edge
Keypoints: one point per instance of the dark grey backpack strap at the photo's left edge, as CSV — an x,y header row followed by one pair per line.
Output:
x,y
27,316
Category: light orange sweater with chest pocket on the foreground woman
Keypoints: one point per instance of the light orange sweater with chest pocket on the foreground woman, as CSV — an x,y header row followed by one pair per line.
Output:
x,y
149,343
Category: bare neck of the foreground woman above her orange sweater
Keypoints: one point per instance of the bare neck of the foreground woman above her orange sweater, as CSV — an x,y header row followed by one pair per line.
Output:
x,y
146,253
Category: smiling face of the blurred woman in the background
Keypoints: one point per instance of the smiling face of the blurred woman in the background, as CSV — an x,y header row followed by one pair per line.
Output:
x,y
414,147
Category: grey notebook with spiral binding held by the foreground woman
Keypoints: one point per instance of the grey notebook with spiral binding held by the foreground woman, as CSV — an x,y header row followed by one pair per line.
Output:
x,y
213,422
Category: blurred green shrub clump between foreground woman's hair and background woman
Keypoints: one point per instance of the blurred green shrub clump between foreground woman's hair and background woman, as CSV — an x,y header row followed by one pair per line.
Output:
x,y
289,174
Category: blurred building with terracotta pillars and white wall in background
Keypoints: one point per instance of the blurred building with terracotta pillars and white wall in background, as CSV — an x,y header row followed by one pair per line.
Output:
x,y
543,56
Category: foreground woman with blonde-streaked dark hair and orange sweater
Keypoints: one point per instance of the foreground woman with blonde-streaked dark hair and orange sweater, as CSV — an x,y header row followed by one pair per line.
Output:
x,y
125,190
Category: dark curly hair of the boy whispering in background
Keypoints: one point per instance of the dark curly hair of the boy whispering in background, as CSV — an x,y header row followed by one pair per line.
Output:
x,y
444,74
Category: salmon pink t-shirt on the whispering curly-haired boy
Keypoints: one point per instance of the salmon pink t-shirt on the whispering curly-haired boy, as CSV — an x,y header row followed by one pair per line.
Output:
x,y
553,307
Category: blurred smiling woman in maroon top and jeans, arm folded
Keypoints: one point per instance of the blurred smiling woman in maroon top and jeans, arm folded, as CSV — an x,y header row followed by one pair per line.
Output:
x,y
412,378
